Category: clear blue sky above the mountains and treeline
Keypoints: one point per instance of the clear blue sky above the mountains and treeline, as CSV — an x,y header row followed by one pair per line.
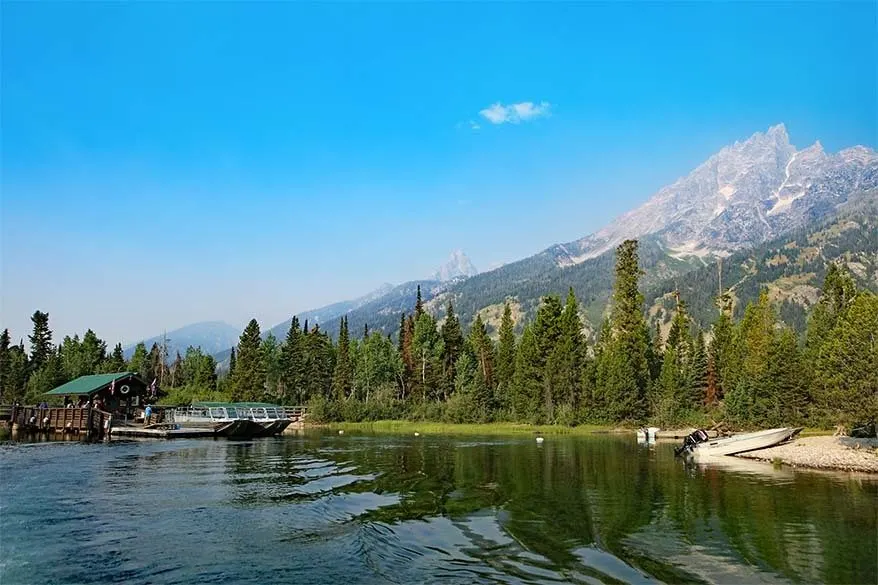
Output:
x,y
168,162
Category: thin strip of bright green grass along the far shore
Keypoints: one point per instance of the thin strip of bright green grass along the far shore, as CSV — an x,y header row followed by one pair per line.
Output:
x,y
437,428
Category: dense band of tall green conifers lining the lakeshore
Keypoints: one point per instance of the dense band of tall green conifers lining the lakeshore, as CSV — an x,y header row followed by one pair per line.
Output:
x,y
748,371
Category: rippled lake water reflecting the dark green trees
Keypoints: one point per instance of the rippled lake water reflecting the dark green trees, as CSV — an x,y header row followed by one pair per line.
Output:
x,y
322,508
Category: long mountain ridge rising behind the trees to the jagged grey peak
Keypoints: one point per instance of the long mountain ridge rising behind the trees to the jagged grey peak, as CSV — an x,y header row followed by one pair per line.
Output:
x,y
747,193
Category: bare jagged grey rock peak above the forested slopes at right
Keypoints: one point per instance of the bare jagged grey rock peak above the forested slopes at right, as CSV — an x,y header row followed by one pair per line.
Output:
x,y
744,195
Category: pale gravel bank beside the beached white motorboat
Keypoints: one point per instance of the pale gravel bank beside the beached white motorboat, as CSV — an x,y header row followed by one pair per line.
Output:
x,y
838,453
